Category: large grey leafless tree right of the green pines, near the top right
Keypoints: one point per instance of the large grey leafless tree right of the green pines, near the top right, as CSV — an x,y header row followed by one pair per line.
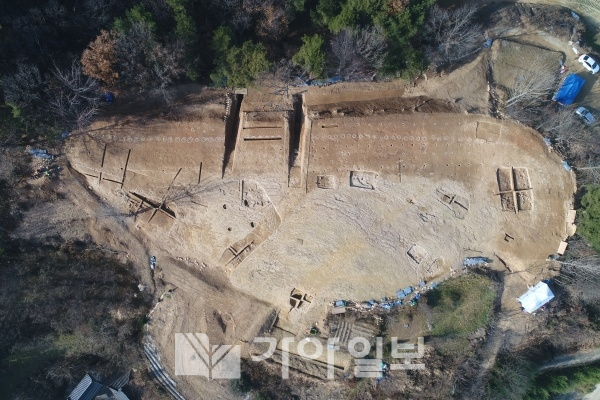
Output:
x,y
452,34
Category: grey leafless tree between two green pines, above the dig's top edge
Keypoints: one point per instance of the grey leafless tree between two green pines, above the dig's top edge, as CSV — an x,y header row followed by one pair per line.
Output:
x,y
358,53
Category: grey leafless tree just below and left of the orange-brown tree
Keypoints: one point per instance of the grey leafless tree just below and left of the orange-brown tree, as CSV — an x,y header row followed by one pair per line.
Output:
x,y
74,97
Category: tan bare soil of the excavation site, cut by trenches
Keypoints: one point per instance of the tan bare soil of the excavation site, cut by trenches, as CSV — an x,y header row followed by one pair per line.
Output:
x,y
376,178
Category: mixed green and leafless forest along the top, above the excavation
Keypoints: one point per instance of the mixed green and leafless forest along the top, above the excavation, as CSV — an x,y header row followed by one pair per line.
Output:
x,y
60,56
